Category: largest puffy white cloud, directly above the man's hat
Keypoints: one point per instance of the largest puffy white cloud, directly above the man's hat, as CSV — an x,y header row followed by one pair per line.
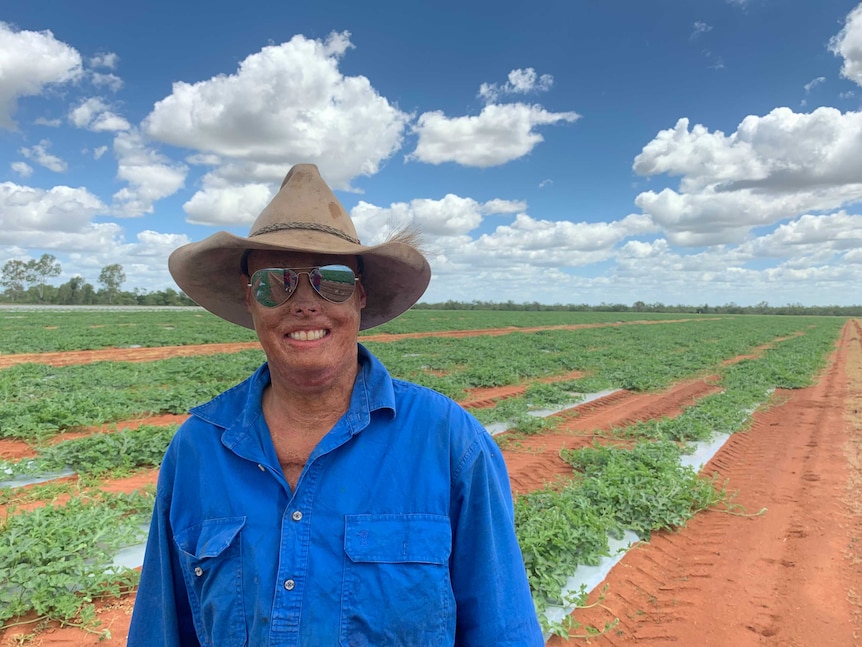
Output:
x,y
285,104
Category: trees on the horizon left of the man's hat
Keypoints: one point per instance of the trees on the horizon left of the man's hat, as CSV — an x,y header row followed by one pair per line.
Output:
x,y
27,282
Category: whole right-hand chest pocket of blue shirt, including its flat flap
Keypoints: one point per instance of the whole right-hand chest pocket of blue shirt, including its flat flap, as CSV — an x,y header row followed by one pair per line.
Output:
x,y
396,587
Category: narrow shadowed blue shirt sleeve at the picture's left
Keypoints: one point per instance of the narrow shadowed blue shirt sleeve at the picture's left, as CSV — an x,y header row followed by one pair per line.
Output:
x,y
161,616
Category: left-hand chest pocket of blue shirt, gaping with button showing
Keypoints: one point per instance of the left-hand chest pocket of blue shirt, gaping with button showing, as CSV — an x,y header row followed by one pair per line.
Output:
x,y
210,554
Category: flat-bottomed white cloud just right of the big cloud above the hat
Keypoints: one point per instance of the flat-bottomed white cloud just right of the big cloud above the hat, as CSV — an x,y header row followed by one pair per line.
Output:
x,y
499,134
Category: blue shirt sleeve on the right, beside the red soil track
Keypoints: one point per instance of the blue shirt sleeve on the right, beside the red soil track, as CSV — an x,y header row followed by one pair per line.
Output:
x,y
494,603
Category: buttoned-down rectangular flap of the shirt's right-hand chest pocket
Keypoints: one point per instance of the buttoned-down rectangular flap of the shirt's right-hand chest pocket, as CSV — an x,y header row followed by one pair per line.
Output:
x,y
396,538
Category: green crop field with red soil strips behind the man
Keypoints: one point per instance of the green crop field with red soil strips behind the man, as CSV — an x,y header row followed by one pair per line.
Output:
x,y
764,547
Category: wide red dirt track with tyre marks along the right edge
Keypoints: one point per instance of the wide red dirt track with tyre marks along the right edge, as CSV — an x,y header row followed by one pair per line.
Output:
x,y
780,578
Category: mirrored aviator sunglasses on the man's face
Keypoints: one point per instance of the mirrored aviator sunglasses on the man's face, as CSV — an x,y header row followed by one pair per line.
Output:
x,y
273,286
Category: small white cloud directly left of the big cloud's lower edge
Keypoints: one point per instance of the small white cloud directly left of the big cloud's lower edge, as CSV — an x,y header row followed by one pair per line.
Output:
x,y
151,176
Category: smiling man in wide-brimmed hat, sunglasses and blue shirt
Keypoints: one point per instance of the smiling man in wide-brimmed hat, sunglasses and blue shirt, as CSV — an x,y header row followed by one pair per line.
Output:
x,y
321,501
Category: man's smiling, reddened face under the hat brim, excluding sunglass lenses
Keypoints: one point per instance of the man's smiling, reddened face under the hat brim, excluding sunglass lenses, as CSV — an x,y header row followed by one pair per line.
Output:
x,y
308,340
